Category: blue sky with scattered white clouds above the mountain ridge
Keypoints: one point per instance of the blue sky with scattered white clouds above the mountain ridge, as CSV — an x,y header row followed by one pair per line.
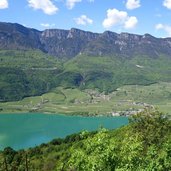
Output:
x,y
133,16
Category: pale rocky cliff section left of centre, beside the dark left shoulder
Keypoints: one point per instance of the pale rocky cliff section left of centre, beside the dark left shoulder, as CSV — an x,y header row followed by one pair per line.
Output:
x,y
66,43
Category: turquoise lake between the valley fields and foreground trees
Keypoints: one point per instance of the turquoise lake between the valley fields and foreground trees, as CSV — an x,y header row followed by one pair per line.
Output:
x,y
28,130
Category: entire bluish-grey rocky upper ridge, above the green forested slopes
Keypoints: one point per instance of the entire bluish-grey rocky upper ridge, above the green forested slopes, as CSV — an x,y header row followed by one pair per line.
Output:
x,y
70,43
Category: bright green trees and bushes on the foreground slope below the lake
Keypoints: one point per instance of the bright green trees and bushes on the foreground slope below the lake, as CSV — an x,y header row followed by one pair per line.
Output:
x,y
144,144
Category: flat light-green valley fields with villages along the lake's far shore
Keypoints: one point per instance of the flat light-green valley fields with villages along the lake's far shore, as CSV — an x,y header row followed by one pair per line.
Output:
x,y
92,102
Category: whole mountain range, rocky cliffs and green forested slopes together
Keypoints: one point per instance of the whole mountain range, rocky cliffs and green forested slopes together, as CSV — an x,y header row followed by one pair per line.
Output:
x,y
81,59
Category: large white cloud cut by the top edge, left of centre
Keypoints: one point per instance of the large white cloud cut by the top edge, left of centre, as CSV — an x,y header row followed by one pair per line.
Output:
x,y
45,5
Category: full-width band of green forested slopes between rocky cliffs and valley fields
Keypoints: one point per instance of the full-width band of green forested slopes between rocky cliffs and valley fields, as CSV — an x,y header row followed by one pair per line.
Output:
x,y
31,73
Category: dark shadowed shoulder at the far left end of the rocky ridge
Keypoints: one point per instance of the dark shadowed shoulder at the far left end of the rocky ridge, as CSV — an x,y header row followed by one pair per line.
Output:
x,y
18,37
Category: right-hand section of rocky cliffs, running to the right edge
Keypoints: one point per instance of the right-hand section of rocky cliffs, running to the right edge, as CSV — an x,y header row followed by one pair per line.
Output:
x,y
128,45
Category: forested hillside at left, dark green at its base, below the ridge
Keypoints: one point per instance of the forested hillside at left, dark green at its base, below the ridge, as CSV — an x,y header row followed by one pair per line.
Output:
x,y
26,73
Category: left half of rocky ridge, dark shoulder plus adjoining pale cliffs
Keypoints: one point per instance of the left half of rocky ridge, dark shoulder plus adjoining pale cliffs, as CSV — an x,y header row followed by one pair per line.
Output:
x,y
59,43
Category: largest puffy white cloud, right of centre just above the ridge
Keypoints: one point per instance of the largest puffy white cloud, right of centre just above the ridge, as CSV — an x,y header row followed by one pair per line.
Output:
x,y
116,17
